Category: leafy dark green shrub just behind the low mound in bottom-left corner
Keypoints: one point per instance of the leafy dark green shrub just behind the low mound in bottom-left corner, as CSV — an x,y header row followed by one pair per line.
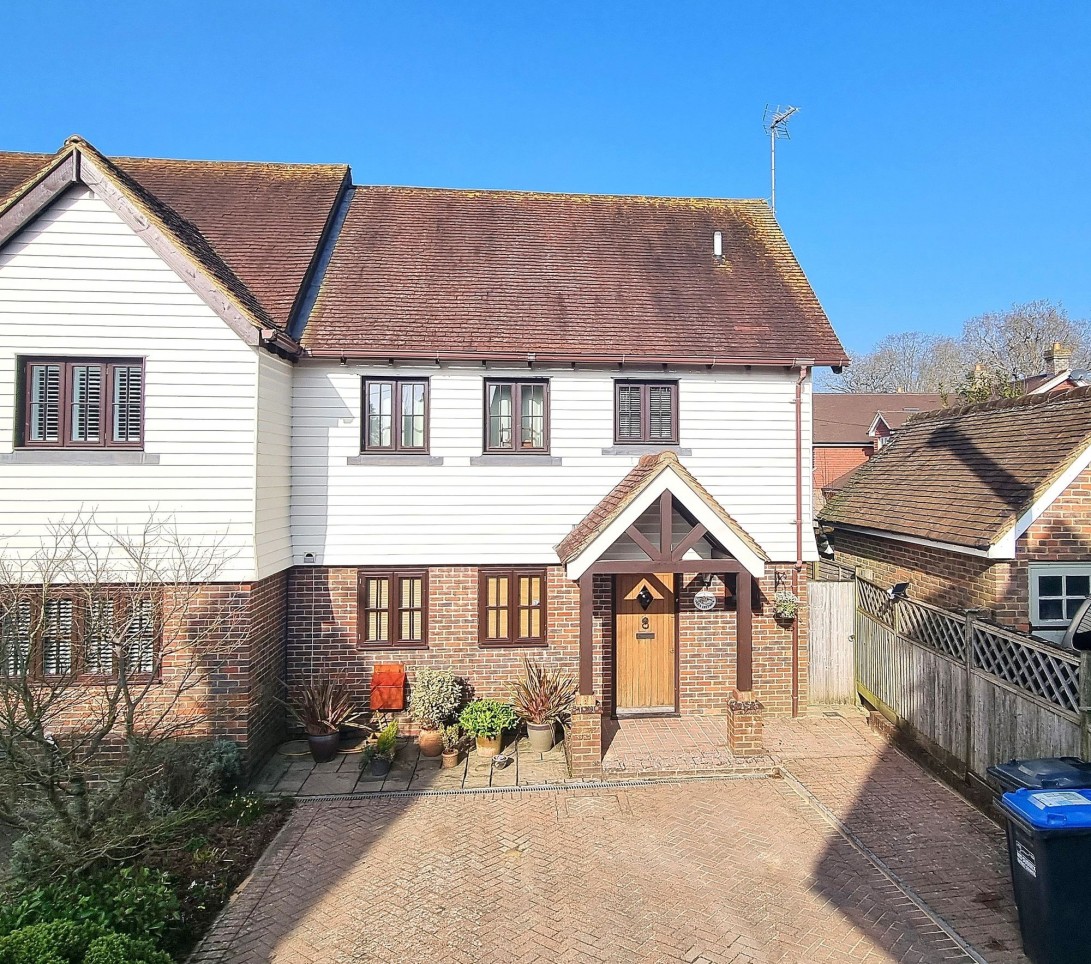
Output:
x,y
135,901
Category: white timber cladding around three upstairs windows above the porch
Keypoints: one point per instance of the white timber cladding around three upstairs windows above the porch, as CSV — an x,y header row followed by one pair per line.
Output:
x,y
738,438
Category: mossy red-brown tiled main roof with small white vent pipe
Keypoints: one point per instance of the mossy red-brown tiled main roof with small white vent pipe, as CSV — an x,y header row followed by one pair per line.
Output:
x,y
422,273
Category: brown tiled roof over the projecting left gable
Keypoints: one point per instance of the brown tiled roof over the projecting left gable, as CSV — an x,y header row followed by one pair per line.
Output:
x,y
256,228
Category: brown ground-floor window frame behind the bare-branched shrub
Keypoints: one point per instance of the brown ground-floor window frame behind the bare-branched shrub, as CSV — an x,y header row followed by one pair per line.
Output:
x,y
79,638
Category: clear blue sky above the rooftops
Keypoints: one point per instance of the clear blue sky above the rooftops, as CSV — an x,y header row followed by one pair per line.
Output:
x,y
940,167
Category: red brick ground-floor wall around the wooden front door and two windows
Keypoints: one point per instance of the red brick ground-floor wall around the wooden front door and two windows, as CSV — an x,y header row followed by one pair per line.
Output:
x,y
322,638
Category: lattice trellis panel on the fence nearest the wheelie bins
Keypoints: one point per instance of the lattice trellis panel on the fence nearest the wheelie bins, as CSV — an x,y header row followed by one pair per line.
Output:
x,y
1052,676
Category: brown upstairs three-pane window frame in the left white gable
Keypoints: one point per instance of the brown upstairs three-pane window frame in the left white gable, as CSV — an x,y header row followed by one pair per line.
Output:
x,y
67,364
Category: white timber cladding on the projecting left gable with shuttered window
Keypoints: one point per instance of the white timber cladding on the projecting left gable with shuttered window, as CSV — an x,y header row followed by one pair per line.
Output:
x,y
79,282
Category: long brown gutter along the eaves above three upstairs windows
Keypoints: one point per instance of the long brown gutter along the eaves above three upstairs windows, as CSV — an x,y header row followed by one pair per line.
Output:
x,y
532,358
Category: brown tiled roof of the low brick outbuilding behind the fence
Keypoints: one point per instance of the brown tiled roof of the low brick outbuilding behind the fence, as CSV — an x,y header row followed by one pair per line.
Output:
x,y
970,477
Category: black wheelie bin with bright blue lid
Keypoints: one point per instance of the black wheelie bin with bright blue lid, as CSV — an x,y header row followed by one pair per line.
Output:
x,y
1050,847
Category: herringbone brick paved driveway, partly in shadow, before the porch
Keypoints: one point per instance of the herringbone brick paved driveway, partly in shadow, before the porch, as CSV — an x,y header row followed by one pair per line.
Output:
x,y
710,871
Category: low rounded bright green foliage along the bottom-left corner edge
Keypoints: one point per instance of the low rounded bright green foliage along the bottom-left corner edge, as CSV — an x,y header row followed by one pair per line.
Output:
x,y
69,943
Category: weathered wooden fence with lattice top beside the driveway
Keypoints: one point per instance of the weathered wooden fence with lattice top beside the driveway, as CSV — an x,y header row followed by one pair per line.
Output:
x,y
980,694
